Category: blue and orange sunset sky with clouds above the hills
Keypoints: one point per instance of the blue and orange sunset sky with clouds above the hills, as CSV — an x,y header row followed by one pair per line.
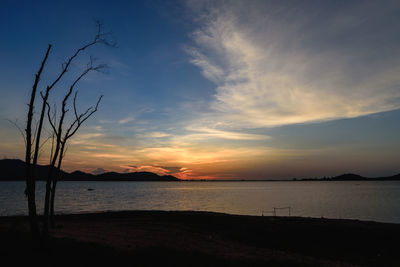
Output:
x,y
214,89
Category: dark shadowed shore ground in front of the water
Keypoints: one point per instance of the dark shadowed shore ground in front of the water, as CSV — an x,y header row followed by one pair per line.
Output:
x,y
157,238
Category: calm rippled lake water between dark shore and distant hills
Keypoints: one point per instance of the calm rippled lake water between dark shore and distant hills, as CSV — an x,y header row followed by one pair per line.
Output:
x,y
378,201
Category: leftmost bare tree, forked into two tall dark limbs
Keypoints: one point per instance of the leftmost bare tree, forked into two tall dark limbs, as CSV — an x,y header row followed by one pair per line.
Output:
x,y
32,140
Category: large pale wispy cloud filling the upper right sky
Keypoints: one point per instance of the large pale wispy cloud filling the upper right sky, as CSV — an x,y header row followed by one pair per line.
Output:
x,y
279,65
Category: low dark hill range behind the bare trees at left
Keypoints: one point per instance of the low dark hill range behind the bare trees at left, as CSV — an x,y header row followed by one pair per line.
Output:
x,y
14,170
